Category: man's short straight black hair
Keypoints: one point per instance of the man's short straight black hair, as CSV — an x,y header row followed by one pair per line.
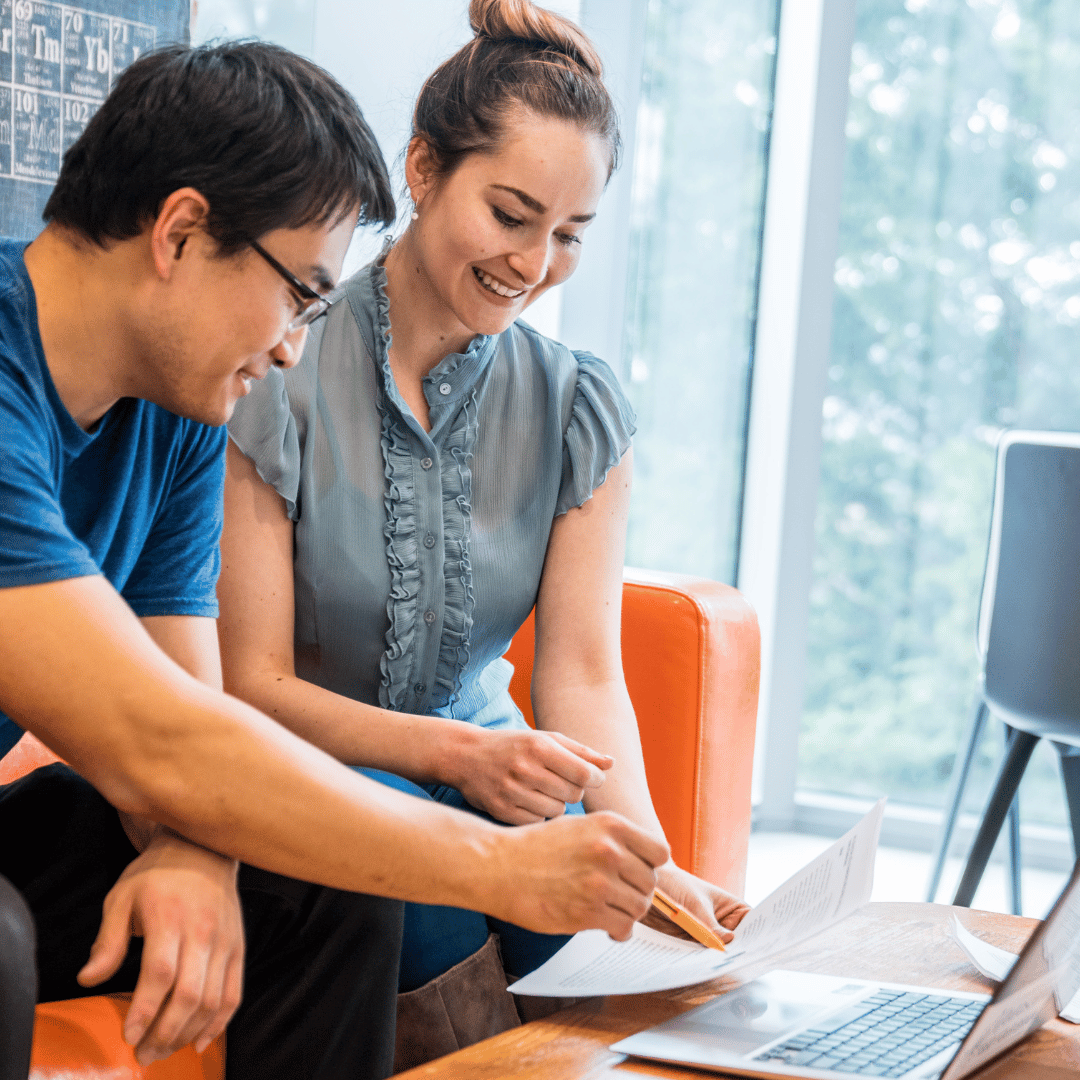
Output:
x,y
269,139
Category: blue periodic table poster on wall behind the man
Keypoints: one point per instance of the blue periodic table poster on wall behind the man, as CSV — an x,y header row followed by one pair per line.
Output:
x,y
58,64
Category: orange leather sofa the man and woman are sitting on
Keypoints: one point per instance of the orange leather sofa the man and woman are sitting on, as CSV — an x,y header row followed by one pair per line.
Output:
x,y
691,652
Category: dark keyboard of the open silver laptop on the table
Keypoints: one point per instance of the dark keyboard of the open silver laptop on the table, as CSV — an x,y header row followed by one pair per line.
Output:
x,y
884,1036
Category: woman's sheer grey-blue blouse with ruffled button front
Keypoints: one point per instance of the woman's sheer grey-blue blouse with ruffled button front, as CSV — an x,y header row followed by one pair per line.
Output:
x,y
418,555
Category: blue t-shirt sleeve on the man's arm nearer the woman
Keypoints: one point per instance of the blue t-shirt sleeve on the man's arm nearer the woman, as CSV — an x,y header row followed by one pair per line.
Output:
x,y
177,571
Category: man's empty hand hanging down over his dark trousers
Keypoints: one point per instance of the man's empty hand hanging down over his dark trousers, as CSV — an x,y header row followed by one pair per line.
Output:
x,y
182,900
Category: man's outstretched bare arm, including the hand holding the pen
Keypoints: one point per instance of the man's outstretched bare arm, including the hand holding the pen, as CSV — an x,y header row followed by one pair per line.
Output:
x,y
80,672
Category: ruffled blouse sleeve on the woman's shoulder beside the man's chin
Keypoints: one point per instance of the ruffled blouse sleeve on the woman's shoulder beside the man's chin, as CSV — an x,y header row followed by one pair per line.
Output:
x,y
265,429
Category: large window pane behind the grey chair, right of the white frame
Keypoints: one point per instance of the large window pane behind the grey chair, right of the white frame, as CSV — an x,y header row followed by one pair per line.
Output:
x,y
957,315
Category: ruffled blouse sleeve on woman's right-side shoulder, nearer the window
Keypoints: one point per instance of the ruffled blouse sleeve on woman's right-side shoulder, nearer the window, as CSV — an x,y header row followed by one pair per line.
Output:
x,y
601,428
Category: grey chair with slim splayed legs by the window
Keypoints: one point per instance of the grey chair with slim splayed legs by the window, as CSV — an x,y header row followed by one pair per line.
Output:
x,y
1029,642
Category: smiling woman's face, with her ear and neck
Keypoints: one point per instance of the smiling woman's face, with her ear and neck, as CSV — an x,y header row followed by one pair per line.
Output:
x,y
490,239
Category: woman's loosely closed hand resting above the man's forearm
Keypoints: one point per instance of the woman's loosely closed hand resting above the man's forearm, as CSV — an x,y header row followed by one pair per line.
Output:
x,y
521,777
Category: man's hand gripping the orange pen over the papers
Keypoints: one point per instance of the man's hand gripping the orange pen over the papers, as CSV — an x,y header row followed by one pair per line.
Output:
x,y
577,873
